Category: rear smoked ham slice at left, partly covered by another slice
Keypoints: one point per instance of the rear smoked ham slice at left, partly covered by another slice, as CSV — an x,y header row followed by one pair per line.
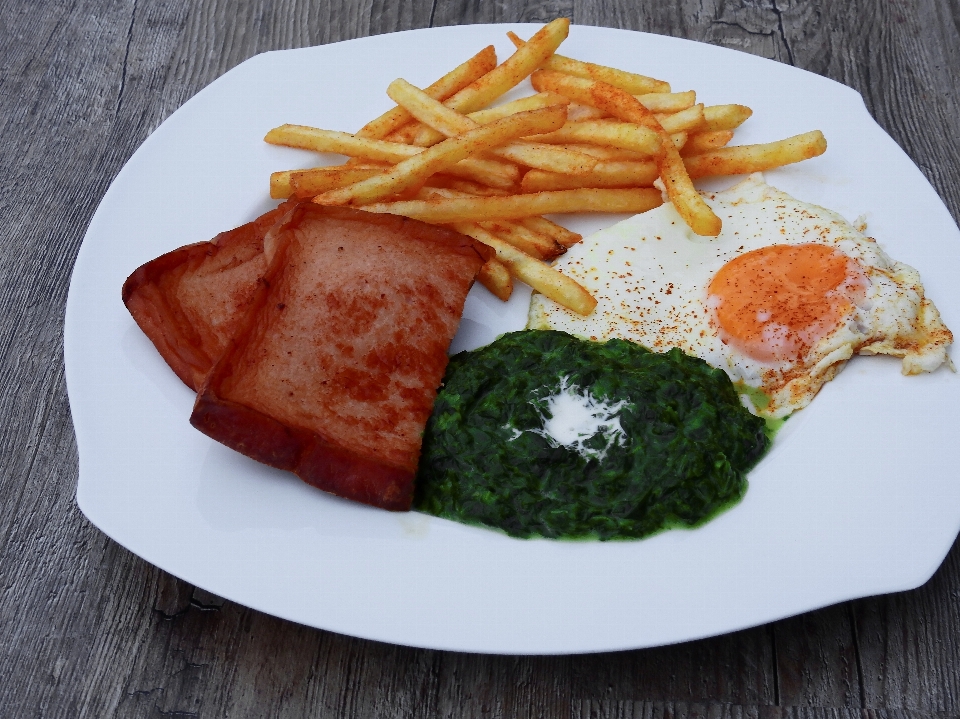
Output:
x,y
190,301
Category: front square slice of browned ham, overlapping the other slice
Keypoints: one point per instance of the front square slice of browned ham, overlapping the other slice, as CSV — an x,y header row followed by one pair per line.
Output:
x,y
334,368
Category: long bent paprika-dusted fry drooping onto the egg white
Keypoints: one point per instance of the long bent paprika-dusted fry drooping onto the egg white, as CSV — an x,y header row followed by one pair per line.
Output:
x,y
695,212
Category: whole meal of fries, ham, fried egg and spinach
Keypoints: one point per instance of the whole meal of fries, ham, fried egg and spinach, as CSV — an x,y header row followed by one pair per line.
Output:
x,y
660,353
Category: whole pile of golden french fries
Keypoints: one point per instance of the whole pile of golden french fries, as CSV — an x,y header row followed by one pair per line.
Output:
x,y
592,139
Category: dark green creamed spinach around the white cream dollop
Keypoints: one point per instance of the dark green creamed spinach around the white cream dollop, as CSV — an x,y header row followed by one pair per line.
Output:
x,y
687,442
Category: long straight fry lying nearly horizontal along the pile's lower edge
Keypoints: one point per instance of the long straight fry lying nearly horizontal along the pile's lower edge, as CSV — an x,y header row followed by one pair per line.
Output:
x,y
443,210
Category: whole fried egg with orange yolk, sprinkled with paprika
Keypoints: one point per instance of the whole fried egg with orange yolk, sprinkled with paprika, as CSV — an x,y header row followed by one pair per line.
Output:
x,y
786,294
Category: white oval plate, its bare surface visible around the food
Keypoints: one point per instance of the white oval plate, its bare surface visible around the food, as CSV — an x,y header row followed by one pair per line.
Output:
x,y
859,495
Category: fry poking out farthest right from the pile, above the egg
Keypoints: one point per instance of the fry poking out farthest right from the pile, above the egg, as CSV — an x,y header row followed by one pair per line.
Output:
x,y
744,159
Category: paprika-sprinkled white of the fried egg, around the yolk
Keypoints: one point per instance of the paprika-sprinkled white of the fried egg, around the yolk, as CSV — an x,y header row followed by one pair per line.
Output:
x,y
650,276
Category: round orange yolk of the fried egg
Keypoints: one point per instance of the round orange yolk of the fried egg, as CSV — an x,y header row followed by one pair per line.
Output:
x,y
774,303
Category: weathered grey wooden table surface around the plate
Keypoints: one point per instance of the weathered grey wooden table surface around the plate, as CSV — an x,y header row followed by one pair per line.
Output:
x,y
88,629
